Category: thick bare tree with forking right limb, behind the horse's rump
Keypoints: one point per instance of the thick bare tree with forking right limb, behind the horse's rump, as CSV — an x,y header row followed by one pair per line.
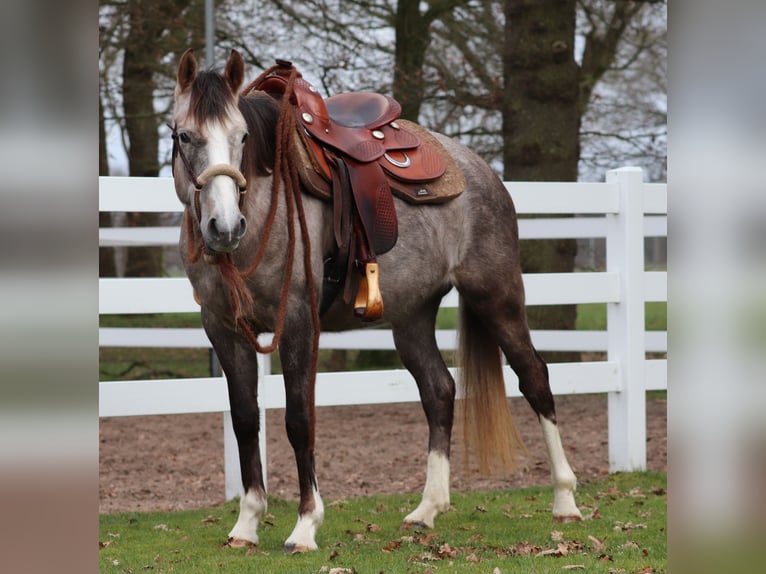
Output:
x,y
547,94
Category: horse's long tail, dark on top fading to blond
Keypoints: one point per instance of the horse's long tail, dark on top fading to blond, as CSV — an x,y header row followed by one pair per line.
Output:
x,y
489,432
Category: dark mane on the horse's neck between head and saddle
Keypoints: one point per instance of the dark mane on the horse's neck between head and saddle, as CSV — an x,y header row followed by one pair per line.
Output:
x,y
261,113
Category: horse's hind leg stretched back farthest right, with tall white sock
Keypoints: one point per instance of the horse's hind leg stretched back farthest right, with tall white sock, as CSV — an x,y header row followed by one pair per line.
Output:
x,y
500,307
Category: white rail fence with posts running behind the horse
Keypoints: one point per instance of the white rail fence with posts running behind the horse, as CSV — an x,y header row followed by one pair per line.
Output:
x,y
624,210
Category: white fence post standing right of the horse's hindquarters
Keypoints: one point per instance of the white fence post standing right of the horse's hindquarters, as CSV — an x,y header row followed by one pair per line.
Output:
x,y
625,323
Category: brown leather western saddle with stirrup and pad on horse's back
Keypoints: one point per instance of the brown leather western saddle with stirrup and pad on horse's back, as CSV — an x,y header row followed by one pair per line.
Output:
x,y
353,150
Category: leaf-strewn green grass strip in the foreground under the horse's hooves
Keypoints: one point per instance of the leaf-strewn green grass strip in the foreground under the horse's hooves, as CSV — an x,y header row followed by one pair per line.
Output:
x,y
512,531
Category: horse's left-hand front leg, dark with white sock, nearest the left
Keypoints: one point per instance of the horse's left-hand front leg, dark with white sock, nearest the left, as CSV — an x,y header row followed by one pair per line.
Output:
x,y
239,362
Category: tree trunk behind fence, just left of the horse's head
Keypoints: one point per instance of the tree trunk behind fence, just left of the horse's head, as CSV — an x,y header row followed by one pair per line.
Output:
x,y
141,122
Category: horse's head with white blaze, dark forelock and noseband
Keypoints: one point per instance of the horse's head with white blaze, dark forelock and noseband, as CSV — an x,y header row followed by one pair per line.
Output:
x,y
209,133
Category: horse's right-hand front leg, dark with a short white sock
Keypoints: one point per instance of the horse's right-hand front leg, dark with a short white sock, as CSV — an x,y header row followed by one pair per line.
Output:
x,y
295,351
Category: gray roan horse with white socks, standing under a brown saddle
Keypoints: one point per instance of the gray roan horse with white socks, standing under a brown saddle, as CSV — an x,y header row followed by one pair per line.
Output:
x,y
255,257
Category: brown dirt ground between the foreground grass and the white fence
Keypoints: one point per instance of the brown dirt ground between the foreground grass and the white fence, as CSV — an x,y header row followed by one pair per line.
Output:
x,y
175,462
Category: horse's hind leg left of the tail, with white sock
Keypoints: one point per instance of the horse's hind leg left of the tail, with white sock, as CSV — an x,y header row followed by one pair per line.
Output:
x,y
416,343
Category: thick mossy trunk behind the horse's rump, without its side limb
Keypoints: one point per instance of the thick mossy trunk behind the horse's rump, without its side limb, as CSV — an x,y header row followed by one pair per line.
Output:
x,y
541,124
